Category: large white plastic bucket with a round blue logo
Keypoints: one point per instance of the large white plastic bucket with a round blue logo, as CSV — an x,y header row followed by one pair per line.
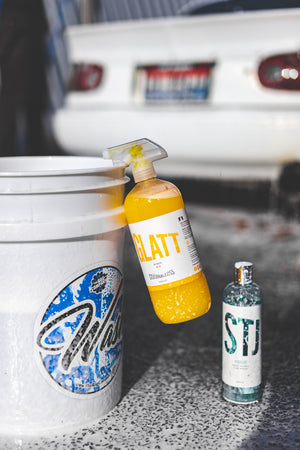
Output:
x,y
61,246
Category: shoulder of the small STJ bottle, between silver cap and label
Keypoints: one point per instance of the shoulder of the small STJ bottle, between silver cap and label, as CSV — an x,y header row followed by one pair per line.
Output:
x,y
238,295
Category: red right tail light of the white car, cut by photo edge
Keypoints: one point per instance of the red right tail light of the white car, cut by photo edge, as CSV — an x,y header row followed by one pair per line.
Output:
x,y
281,72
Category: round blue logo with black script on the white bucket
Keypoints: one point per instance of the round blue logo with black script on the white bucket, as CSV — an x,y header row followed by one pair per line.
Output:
x,y
79,338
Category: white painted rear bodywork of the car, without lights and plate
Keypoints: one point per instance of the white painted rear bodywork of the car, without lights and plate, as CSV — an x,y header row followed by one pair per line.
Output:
x,y
241,121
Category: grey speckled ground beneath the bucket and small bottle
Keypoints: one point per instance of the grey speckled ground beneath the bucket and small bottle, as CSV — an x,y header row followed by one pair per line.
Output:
x,y
172,374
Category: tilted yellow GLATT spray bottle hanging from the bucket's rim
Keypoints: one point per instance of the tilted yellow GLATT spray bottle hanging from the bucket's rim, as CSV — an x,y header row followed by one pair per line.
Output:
x,y
162,236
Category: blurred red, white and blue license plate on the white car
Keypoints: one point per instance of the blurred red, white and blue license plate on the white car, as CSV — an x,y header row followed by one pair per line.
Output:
x,y
188,83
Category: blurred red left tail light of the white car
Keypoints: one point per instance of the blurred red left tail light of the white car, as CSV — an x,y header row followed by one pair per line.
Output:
x,y
86,77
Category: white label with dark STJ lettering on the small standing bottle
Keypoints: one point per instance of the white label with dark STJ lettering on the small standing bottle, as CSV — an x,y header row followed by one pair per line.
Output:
x,y
241,346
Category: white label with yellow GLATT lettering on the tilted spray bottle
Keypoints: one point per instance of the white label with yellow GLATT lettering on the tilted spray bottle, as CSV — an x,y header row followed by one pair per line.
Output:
x,y
166,248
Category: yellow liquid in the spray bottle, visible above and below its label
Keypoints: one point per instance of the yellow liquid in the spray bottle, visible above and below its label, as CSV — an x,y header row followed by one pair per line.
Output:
x,y
182,300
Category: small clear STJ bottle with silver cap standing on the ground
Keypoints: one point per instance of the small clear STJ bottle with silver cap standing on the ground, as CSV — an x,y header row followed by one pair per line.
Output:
x,y
241,340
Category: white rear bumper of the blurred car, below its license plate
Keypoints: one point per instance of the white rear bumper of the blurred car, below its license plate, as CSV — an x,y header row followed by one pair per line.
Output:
x,y
226,136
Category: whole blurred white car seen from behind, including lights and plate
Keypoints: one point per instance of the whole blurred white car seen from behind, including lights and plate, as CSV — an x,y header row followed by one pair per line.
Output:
x,y
220,92
